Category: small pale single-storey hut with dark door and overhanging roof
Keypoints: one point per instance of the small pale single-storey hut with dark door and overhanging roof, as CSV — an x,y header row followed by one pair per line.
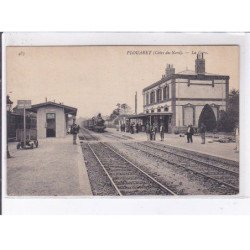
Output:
x,y
52,119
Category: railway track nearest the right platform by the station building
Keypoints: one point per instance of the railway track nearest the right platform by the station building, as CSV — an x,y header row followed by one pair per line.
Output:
x,y
220,175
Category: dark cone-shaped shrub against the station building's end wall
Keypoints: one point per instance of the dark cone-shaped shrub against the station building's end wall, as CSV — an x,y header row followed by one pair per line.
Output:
x,y
208,118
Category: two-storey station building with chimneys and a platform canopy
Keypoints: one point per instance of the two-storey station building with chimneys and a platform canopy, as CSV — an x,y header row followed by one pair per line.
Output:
x,y
178,99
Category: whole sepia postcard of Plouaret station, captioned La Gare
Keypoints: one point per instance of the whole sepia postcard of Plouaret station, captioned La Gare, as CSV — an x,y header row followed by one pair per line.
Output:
x,y
122,120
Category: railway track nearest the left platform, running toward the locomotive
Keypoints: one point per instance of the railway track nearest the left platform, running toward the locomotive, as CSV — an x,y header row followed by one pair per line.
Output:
x,y
125,176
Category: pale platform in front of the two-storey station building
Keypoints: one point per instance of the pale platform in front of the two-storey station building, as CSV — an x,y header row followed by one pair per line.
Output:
x,y
217,149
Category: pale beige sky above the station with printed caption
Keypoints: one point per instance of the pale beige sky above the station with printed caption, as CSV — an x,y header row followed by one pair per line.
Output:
x,y
95,78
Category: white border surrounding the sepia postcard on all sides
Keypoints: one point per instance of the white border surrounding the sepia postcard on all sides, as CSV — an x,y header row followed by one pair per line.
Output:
x,y
92,205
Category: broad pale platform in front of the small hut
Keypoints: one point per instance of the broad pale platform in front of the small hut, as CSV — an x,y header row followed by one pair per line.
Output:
x,y
55,168
